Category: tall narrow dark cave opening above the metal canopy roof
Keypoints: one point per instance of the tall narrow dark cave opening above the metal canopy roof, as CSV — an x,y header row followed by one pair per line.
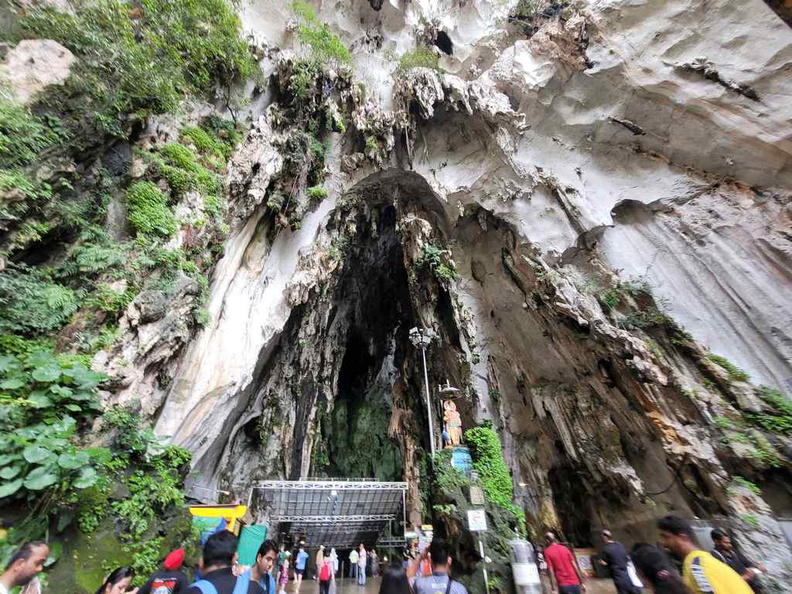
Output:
x,y
374,303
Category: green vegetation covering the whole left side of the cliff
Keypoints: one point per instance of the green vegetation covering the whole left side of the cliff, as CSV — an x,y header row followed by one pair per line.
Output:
x,y
64,161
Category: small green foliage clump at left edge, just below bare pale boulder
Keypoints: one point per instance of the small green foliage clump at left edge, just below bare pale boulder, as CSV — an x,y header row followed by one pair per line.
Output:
x,y
22,135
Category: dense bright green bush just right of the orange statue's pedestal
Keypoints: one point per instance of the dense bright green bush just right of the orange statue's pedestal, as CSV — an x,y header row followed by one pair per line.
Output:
x,y
493,473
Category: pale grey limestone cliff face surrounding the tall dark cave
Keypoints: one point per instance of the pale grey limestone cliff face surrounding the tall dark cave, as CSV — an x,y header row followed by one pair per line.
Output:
x,y
587,203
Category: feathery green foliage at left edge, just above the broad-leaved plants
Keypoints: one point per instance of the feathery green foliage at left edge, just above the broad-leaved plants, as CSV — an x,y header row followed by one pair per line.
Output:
x,y
31,302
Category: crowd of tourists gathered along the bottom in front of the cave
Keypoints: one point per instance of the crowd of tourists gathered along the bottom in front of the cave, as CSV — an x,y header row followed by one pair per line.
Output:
x,y
723,571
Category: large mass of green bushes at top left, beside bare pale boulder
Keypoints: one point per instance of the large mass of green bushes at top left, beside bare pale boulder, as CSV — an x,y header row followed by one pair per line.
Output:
x,y
140,59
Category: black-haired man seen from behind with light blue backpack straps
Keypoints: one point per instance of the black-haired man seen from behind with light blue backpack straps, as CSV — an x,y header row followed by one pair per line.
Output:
x,y
218,556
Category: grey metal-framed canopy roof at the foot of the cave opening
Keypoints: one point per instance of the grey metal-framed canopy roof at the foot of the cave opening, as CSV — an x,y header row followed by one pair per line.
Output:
x,y
336,513
